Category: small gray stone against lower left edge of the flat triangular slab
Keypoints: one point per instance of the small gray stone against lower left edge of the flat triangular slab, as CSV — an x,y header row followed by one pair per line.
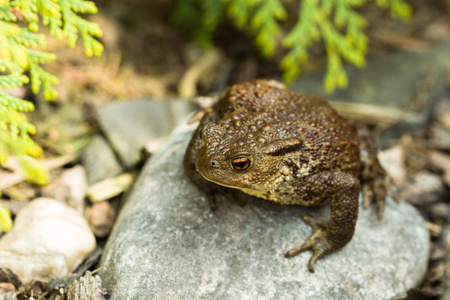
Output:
x,y
100,160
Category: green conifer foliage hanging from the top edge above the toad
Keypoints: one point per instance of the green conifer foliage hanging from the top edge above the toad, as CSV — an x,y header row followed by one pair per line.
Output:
x,y
335,22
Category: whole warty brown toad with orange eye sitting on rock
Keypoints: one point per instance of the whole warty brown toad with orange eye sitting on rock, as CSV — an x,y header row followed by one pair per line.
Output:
x,y
279,145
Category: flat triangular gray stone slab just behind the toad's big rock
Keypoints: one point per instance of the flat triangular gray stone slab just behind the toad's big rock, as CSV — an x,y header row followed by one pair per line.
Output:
x,y
129,125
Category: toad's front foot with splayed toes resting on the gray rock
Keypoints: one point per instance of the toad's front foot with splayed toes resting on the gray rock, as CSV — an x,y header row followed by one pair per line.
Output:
x,y
318,242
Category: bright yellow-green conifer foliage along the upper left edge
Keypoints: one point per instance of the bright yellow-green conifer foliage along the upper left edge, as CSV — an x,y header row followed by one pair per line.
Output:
x,y
21,50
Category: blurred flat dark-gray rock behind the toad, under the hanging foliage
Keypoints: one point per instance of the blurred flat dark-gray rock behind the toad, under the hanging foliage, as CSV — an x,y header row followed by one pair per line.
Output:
x,y
390,80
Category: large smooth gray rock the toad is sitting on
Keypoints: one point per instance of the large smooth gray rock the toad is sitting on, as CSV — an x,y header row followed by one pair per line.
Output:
x,y
168,244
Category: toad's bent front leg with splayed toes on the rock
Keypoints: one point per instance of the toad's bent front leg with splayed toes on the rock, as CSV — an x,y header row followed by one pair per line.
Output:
x,y
343,192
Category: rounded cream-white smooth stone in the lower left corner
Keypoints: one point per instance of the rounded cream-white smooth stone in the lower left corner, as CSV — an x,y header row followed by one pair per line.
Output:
x,y
49,239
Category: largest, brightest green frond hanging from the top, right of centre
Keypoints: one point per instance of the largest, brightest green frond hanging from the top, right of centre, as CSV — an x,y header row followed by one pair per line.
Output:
x,y
341,29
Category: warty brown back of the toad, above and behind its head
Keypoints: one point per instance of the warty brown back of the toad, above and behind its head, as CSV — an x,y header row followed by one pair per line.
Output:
x,y
258,113
